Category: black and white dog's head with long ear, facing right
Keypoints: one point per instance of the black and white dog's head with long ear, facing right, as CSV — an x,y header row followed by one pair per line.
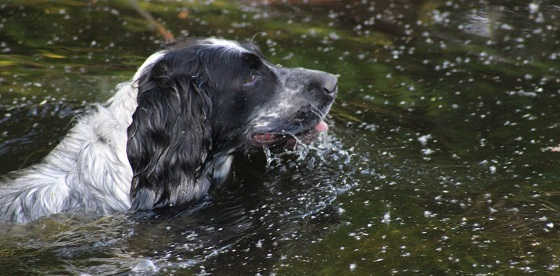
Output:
x,y
203,100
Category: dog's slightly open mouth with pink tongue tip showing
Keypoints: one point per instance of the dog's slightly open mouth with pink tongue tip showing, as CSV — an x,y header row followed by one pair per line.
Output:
x,y
303,135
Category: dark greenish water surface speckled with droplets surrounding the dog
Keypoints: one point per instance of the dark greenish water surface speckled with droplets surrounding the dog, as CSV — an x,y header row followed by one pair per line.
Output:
x,y
441,156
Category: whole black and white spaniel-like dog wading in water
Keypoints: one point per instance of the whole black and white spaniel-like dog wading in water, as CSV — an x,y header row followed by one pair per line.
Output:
x,y
170,133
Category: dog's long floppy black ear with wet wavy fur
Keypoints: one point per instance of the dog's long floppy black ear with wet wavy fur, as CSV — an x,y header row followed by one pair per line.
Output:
x,y
170,138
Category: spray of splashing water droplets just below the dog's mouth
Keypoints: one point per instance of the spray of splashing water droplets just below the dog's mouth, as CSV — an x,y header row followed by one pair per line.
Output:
x,y
319,172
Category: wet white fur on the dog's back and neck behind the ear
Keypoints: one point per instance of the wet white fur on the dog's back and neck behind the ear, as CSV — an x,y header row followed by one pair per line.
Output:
x,y
87,171
